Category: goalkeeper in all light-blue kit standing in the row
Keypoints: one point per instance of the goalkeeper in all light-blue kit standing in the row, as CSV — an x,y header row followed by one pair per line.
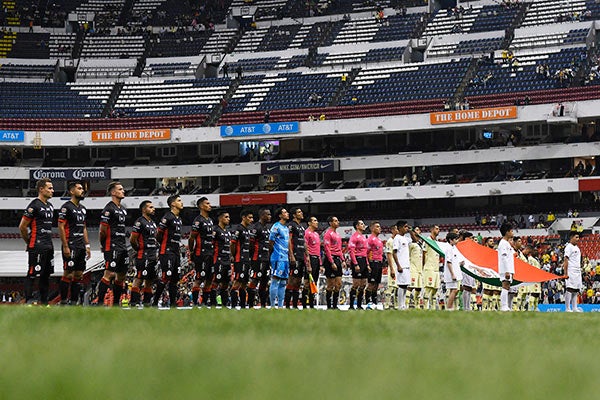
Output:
x,y
279,239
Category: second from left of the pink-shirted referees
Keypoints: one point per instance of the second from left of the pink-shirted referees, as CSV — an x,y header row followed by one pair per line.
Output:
x,y
334,263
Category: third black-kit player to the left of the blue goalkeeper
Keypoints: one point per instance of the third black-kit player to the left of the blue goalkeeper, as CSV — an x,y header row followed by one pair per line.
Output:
x,y
222,257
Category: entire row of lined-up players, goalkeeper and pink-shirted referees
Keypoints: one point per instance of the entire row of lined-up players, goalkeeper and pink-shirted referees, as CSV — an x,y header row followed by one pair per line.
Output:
x,y
256,261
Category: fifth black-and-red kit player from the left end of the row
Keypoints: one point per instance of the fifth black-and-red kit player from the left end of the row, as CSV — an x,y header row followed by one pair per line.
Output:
x,y
169,238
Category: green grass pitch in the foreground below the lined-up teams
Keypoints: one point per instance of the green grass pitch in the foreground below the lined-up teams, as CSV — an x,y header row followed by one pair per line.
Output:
x,y
99,353
